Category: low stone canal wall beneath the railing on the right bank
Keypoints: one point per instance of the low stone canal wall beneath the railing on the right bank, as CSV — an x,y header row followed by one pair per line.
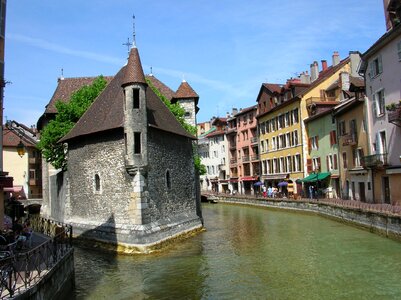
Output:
x,y
382,223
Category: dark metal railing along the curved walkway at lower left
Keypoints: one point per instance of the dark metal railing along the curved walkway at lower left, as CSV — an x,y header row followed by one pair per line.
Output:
x,y
21,269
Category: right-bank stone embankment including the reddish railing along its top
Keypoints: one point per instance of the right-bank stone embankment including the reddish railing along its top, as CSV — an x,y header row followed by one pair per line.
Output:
x,y
384,219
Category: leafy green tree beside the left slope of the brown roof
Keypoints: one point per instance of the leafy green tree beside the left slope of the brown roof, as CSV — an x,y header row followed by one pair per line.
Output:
x,y
67,115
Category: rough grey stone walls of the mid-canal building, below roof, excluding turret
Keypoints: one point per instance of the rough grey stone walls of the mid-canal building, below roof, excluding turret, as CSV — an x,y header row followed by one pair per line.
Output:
x,y
104,215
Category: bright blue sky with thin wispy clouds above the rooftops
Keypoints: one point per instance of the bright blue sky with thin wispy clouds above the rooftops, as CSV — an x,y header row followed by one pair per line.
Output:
x,y
224,49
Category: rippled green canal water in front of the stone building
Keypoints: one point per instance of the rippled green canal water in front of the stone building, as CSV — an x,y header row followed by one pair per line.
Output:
x,y
251,253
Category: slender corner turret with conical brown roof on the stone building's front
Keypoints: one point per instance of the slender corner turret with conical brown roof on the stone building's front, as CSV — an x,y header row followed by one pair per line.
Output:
x,y
135,136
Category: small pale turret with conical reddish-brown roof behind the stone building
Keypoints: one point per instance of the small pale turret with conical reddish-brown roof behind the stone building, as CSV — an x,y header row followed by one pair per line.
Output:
x,y
188,99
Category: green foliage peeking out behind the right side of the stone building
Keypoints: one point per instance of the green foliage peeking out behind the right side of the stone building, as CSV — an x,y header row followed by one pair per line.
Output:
x,y
179,113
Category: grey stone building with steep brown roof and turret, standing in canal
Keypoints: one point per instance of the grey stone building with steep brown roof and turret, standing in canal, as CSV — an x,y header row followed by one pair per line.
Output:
x,y
131,179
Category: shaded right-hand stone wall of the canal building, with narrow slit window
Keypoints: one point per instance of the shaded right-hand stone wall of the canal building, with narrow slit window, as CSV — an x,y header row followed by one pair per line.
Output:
x,y
172,154
